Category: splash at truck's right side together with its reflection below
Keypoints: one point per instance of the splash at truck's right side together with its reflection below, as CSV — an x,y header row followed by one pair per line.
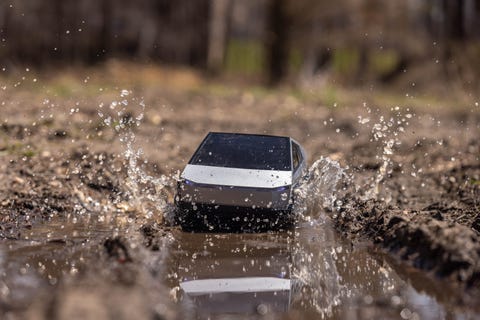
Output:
x,y
315,272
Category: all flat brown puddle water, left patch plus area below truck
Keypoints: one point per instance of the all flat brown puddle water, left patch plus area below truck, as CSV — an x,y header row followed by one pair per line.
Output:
x,y
308,273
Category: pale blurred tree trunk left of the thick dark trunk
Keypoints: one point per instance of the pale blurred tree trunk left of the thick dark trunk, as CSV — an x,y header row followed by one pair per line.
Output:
x,y
220,14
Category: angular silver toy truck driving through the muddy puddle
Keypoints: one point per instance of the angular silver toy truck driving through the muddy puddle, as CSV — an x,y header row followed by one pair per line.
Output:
x,y
240,182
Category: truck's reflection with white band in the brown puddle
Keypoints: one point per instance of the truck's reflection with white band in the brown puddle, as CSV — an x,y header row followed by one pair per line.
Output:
x,y
248,274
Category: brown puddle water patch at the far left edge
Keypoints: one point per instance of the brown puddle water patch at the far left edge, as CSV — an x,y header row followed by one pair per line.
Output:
x,y
40,258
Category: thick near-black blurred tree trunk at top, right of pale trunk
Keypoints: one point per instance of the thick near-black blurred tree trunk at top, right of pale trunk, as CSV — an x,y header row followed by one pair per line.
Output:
x,y
277,41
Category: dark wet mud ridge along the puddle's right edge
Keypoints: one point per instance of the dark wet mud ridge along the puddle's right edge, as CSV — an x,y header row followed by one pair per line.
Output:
x,y
444,248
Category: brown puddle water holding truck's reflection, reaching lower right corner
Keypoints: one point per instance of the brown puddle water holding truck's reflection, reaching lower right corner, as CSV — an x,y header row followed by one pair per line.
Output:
x,y
309,273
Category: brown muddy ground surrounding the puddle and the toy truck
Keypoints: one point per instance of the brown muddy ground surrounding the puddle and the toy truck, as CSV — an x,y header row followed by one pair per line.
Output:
x,y
411,185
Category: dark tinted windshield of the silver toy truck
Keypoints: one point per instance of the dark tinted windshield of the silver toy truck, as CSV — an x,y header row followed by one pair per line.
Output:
x,y
244,151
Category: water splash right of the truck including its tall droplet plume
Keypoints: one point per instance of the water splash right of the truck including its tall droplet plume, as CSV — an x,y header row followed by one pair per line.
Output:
x,y
326,183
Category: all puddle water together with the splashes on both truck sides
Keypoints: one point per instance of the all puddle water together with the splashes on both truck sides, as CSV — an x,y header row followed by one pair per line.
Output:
x,y
309,272
